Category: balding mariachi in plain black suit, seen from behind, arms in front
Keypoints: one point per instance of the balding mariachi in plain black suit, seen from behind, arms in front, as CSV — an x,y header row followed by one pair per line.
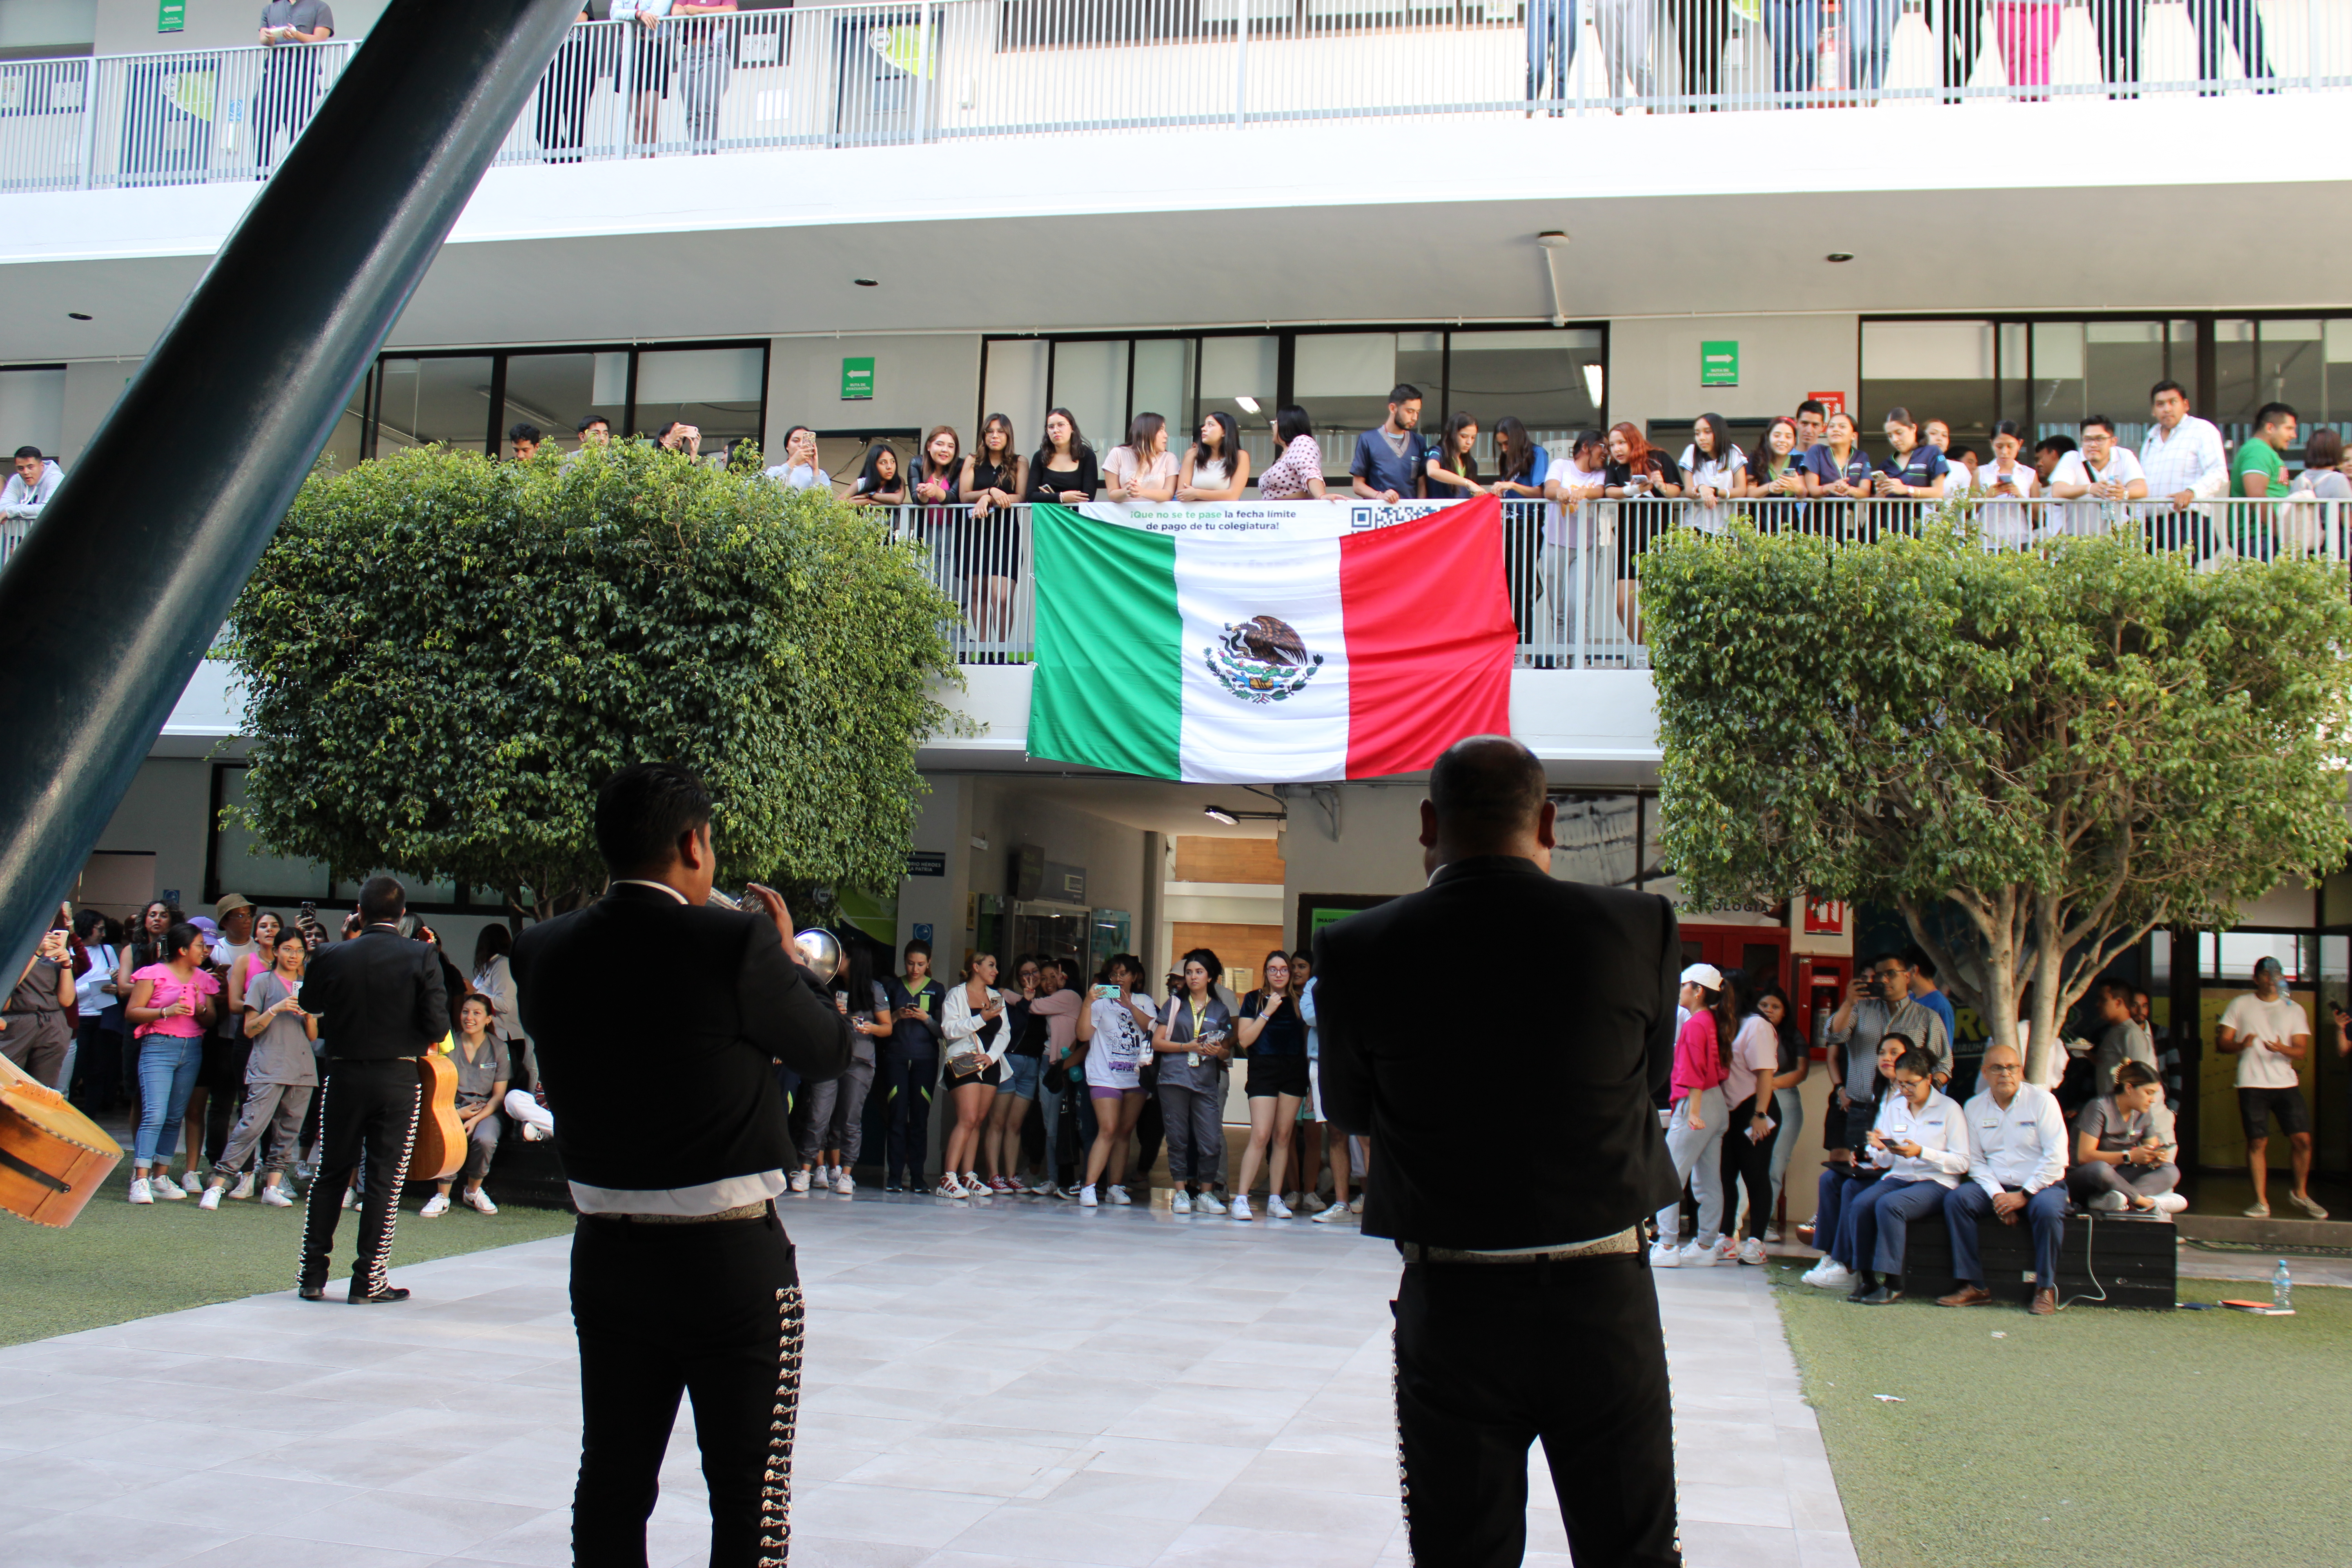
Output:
x,y
1528,1308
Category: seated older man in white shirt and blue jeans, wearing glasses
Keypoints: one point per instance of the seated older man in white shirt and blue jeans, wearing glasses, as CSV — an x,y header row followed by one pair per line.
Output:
x,y
2017,1167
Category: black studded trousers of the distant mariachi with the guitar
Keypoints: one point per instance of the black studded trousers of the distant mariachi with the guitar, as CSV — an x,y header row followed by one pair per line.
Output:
x,y
368,1108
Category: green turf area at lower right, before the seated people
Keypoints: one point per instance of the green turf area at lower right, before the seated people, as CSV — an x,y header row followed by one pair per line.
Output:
x,y
2092,1438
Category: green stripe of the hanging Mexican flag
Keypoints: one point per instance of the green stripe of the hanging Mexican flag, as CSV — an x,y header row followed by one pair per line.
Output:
x,y
1109,685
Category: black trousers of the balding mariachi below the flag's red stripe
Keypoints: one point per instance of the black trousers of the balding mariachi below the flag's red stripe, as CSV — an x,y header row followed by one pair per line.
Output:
x,y
1497,1355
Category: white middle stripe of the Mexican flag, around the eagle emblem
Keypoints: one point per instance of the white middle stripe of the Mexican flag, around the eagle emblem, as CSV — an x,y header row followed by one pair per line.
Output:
x,y
1234,739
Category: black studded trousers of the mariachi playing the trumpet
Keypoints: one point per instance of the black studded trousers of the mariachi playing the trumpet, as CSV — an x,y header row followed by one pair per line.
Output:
x,y
702,1311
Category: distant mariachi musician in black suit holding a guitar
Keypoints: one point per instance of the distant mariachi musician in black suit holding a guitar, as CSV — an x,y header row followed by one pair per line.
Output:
x,y
382,1003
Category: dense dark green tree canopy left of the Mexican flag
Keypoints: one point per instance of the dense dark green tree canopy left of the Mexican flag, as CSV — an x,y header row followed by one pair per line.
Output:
x,y
443,657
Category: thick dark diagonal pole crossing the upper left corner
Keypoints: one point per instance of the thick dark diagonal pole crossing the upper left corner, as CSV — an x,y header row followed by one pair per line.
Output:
x,y
114,598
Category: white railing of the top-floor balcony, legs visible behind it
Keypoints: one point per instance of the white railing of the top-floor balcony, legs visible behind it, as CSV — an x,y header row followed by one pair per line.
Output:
x,y
942,69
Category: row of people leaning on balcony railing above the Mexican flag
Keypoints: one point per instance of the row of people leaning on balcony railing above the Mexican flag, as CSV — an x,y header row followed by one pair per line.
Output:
x,y
1810,455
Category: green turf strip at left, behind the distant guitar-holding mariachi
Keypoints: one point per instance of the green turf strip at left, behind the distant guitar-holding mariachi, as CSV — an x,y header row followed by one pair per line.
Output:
x,y
123,1261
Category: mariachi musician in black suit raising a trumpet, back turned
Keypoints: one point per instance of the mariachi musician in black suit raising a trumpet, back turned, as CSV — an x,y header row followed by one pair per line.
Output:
x,y
674,1139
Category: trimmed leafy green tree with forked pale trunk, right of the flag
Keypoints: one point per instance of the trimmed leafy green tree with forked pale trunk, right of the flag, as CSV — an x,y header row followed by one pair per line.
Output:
x,y
2064,749
